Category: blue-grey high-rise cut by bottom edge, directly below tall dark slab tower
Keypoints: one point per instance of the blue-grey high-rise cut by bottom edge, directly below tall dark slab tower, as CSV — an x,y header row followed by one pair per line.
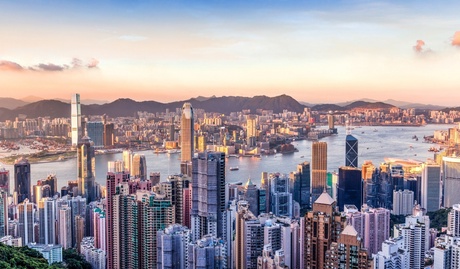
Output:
x,y
207,253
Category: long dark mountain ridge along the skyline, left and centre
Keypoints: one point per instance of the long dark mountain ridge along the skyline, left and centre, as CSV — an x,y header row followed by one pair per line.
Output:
x,y
129,107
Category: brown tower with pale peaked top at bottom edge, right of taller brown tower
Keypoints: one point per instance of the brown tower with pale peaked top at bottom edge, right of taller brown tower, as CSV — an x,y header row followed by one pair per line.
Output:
x,y
347,251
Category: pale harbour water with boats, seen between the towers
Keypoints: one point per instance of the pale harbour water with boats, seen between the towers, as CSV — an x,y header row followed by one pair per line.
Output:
x,y
375,143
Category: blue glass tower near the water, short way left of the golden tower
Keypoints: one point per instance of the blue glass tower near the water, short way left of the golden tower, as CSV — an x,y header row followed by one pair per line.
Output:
x,y
280,197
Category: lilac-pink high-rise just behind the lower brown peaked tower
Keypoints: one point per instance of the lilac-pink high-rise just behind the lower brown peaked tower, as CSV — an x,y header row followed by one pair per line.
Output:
x,y
372,225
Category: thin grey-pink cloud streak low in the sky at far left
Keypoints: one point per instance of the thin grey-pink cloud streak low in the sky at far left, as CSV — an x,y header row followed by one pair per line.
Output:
x,y
49,67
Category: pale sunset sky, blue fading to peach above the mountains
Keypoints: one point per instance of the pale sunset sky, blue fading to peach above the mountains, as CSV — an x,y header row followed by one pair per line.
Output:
x,y
168,50
